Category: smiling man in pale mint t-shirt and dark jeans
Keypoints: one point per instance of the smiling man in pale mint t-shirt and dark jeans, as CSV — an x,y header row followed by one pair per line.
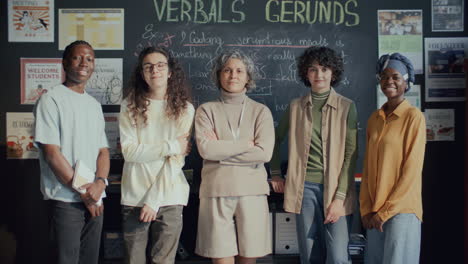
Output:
x,y
70,127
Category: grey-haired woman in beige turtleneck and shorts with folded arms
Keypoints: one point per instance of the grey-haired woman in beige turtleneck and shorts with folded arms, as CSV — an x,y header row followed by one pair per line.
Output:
x,y
235,137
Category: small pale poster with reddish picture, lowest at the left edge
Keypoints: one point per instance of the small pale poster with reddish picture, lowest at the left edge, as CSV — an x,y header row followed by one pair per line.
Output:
x,y
20,136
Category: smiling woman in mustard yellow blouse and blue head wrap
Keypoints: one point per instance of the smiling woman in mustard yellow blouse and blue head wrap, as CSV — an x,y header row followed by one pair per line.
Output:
x,y
391,206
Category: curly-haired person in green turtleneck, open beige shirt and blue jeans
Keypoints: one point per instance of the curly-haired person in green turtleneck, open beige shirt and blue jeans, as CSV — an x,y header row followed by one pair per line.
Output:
x,y
319,185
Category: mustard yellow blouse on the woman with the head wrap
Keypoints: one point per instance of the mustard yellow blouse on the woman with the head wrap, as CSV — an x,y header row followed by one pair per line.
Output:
x,y
391,181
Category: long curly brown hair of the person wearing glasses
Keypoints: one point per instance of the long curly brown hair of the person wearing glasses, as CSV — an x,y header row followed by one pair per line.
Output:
x,y
177,94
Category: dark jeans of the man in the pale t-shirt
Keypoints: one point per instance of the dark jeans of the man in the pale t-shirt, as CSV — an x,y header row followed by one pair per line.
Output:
x,y
75,234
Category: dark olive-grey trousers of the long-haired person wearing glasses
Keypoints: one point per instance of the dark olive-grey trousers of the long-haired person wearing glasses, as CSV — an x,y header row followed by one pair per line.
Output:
x,y
163,234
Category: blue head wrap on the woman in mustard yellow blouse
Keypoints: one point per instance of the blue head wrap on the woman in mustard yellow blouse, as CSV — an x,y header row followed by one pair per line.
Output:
x,y
399,63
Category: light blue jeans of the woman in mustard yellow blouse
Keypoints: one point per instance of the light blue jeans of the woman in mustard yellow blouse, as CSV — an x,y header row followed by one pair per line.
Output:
x,y
399,242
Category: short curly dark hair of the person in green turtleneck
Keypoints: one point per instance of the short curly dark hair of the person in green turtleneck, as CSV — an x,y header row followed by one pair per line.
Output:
x,y
325,57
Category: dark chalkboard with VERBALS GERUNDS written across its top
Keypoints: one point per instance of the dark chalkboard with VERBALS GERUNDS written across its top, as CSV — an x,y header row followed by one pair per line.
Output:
x,y
274,33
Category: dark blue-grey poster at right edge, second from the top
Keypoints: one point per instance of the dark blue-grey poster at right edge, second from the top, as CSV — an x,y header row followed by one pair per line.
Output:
x,y
444,73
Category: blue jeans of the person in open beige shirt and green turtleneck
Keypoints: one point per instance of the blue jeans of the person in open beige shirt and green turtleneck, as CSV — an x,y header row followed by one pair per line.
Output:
x,y
320,243
